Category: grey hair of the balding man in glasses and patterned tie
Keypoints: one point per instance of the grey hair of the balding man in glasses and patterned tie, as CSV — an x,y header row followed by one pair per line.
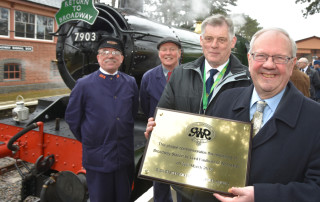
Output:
x,y
280,30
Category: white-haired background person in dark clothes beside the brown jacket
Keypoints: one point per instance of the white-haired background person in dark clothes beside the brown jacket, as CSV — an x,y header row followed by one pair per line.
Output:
x,y
313,76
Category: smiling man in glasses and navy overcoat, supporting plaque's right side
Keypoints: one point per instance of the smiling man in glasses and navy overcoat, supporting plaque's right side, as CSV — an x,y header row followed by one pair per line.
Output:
x,y
285,156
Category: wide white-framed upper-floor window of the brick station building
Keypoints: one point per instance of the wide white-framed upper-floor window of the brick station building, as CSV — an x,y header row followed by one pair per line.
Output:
x,y
33,26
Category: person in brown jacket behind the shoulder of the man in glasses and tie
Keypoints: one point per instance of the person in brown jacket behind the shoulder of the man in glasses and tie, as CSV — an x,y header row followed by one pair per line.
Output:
x,y
301,81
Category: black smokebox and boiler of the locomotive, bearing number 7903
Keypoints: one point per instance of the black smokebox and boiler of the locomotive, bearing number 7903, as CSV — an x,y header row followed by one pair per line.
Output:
x,y
78,43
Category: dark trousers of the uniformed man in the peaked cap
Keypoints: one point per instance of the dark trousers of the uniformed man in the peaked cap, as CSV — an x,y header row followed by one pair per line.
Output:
x,y
115,186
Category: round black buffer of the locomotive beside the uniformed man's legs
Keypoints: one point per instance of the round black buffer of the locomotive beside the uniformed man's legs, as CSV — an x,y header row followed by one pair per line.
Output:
x,y
64,186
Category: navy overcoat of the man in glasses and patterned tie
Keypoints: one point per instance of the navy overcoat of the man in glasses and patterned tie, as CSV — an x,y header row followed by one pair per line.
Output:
x,y
285,157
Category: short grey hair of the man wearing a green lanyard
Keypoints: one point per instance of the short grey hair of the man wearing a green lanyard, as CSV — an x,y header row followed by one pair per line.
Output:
x,y
218,20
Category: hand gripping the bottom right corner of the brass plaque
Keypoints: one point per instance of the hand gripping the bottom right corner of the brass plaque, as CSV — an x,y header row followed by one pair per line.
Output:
x,y
243,194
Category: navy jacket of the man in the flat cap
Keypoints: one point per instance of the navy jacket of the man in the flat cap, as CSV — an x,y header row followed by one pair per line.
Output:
x,y
151,88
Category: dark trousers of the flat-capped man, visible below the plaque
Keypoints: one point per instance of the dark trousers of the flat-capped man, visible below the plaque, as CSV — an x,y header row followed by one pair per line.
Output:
x,y
161,192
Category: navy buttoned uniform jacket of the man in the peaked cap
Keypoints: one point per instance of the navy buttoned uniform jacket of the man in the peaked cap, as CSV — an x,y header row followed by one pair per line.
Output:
x,y
100,114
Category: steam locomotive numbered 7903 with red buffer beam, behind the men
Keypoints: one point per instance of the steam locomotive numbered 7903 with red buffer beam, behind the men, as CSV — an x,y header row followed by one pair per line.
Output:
x,y
44,139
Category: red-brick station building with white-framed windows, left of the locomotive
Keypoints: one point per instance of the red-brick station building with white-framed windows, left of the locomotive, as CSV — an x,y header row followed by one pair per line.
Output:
x,y
27,50
